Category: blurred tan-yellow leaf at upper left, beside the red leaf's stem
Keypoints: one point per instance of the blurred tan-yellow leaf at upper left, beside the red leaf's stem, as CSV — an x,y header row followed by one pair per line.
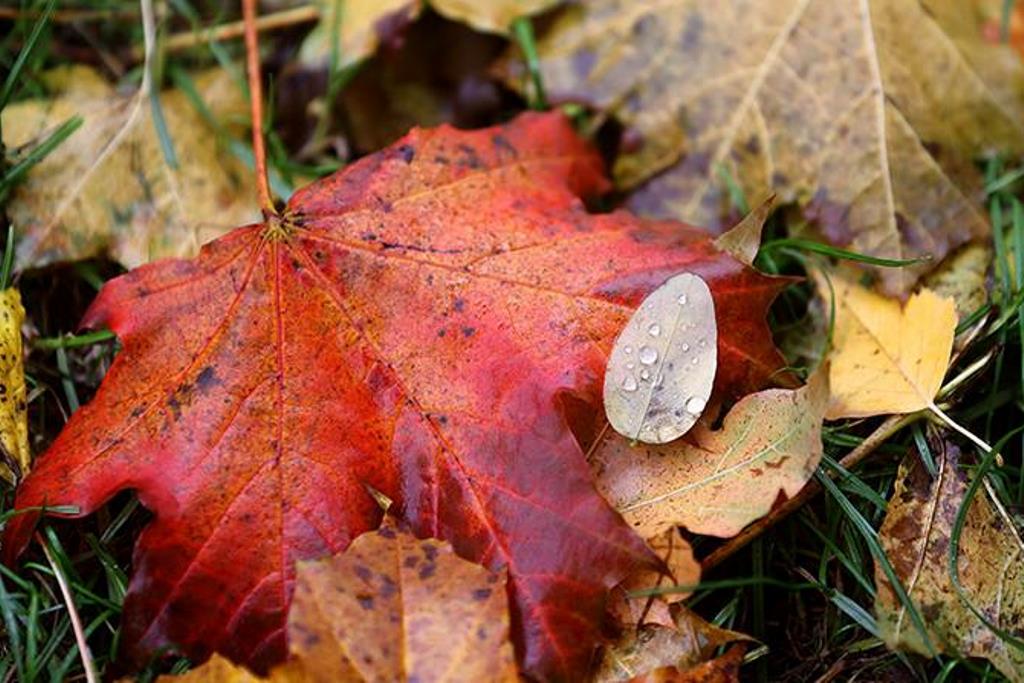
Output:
x,y
108,189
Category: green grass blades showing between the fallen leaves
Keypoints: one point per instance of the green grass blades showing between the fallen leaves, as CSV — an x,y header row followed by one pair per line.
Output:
x,y
805,589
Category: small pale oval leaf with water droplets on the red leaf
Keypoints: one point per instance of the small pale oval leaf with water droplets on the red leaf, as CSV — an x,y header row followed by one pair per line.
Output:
x,y
662,367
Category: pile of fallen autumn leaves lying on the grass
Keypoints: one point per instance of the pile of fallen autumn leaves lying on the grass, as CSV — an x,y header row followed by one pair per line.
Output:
x,y
447,416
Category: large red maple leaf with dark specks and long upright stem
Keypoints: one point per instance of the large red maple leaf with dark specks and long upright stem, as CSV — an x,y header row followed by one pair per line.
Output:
x,y
410,326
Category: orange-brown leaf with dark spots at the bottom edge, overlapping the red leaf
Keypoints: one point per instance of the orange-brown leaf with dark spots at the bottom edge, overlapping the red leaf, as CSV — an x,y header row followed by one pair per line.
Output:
x,y
392,608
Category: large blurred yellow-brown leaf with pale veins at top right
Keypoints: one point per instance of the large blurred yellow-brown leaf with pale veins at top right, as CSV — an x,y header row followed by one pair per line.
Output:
x,y
869,112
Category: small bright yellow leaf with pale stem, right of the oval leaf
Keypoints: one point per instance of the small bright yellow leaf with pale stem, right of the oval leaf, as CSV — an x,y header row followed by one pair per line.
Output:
x,y
887,358
